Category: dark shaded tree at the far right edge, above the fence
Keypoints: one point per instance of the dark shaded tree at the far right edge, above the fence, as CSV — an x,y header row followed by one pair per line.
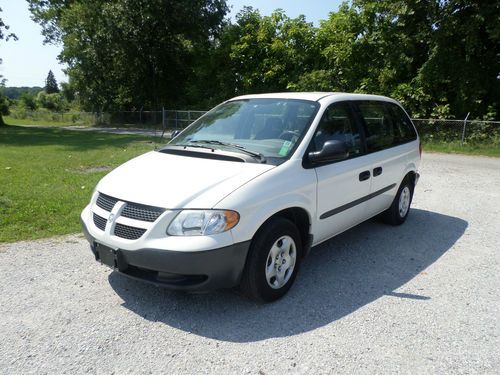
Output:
x,y
463,66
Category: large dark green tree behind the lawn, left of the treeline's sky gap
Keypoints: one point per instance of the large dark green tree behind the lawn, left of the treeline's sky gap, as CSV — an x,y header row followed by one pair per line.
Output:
x,y
129,53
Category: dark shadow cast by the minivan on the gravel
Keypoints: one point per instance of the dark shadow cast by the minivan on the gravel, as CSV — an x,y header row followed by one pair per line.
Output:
x,y
337,278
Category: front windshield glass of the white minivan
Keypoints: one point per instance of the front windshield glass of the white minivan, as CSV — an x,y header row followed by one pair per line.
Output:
x,y
269,127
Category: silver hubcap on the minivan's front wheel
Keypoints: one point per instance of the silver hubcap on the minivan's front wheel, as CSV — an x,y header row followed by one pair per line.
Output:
x,y
281,262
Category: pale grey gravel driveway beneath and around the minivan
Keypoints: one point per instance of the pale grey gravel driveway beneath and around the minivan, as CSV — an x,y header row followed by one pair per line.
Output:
x,y
420,298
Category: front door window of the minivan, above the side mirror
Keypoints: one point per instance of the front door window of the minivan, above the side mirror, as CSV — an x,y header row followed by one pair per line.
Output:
x,y
337,124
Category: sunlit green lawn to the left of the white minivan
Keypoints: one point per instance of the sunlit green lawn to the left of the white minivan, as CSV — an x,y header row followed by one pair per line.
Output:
x,y
47,176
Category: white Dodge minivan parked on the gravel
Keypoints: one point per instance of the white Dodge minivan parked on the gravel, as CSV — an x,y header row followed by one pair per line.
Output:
x,y
240,196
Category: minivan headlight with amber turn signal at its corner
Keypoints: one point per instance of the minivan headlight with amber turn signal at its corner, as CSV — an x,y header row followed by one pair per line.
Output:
x,y
202,222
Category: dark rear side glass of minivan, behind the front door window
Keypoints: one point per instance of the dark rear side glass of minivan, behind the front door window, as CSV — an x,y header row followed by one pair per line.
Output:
x,y
386,125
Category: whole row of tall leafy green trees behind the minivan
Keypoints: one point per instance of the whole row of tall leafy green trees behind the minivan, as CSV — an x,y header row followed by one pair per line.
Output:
x,y
440,58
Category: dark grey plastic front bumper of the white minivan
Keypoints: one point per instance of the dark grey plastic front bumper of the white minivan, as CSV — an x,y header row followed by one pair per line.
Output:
x,y
177,270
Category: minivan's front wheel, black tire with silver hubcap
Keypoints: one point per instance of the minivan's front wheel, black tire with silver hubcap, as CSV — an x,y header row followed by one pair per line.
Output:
x,y
273,261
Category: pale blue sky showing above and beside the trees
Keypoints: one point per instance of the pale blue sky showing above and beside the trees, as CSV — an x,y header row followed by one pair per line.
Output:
x,y
27,61
